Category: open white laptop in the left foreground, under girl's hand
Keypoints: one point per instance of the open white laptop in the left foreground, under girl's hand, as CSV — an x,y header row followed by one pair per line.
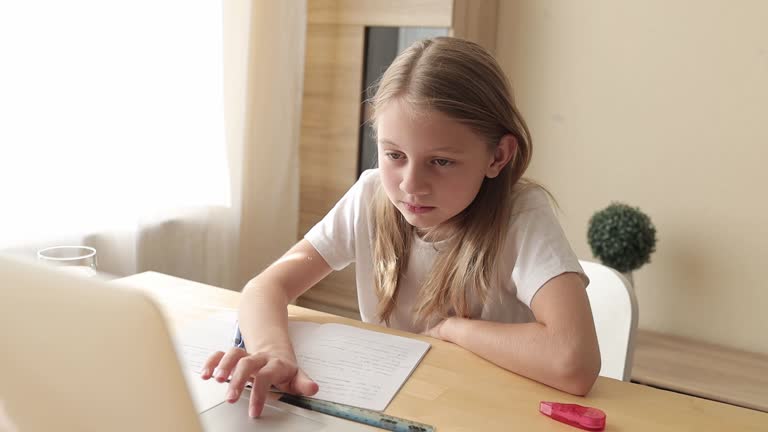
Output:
x,y
81,354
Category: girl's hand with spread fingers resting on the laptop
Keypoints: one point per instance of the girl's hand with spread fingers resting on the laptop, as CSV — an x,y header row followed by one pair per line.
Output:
x,y
263,370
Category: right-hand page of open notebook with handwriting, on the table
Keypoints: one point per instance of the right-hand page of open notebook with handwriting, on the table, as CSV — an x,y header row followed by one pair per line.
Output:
x,y
358,367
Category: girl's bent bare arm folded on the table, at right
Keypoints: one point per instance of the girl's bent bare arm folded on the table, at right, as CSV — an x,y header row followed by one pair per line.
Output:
x,y
559,349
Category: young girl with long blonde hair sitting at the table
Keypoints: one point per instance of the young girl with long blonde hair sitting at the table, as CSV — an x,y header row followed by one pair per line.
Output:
x,y
447,238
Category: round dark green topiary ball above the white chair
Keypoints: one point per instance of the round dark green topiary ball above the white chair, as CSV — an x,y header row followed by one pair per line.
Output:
x,y
622,237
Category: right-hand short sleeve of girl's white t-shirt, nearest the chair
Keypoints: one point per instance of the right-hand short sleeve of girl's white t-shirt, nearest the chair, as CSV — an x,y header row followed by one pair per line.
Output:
x,y
542,249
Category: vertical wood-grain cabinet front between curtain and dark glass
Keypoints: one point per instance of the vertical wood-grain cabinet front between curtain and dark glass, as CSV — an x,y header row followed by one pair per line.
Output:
x,y
330,125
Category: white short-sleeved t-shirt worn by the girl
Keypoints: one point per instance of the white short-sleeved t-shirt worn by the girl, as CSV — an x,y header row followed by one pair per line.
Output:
x,y
535,251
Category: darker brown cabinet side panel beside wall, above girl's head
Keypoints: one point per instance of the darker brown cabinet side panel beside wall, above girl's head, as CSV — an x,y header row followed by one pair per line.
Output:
x,y
475,20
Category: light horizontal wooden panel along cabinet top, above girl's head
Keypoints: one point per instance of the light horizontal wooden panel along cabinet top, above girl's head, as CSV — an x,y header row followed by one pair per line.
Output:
x,y
404,13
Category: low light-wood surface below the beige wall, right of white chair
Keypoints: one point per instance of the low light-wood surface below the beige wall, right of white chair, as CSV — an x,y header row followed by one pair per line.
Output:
x,y
699,369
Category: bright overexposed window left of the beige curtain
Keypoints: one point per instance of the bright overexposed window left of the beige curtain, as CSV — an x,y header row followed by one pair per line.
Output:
x,y
109,111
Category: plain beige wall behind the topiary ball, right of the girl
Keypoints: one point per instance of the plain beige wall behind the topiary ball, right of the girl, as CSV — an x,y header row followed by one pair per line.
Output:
x,y
662,105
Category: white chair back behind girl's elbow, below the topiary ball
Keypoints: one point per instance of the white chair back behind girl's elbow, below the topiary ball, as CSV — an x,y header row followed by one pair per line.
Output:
x,y
614,309
